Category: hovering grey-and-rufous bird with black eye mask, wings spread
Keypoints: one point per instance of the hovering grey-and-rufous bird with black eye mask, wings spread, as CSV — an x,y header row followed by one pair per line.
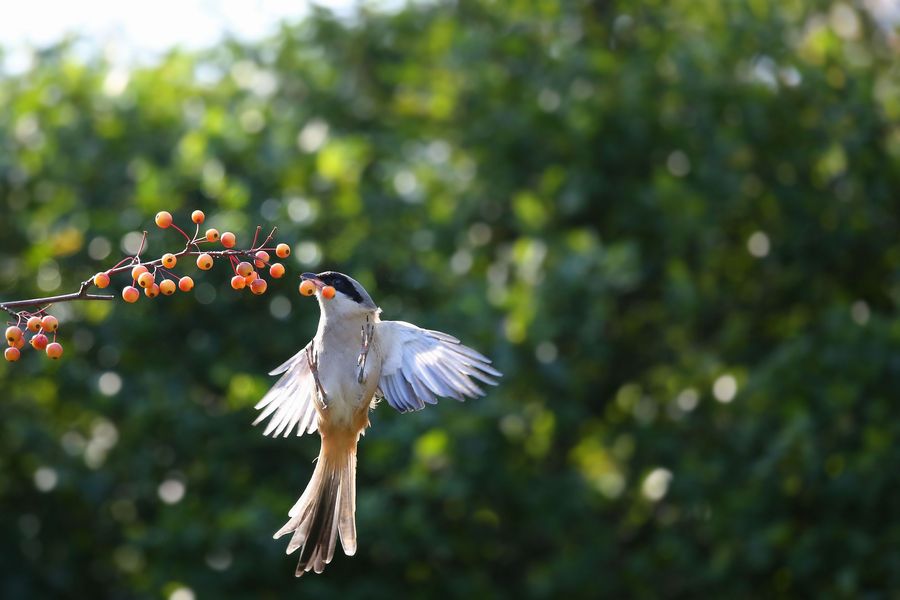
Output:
x,y
330,386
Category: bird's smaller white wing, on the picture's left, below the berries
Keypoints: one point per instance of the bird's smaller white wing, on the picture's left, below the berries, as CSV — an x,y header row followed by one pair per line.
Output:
x,y
290,401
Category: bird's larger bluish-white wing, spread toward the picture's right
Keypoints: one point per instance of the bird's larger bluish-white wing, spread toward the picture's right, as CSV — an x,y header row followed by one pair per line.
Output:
x,y
421,365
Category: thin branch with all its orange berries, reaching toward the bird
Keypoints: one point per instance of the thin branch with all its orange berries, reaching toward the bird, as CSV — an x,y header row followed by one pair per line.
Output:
x,y
154,277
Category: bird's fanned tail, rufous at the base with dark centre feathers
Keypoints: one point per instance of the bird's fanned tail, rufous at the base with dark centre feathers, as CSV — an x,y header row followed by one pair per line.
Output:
x,y
327,507
